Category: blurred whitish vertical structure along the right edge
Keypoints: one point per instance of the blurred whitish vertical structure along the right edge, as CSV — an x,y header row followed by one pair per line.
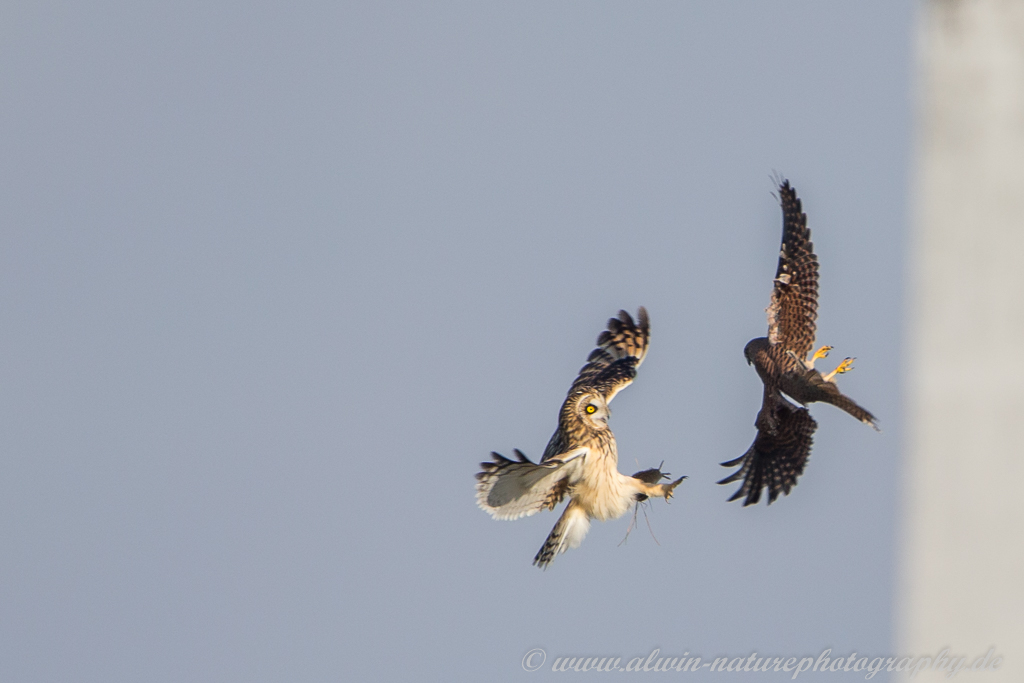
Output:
x,y
963,545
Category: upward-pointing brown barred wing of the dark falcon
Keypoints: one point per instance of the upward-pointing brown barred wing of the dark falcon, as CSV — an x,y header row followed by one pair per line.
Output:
x,y
794,308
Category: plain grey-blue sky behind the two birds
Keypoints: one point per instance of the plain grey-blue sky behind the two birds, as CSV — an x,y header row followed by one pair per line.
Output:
x,y
277,277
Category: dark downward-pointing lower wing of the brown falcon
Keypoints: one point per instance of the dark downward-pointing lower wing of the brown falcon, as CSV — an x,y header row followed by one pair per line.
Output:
x,y
779,454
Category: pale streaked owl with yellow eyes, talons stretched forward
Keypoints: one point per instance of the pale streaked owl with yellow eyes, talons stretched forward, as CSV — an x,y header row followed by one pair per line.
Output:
x,y
581,461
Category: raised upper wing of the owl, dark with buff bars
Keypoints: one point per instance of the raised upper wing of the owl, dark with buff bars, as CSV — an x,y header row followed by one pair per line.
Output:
x,y
620,352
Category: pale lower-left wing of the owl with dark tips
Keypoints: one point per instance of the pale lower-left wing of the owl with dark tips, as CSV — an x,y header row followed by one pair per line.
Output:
x,y
513,489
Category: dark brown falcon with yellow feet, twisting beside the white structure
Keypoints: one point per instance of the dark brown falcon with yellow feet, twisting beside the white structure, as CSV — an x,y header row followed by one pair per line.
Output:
x,y
785,434
